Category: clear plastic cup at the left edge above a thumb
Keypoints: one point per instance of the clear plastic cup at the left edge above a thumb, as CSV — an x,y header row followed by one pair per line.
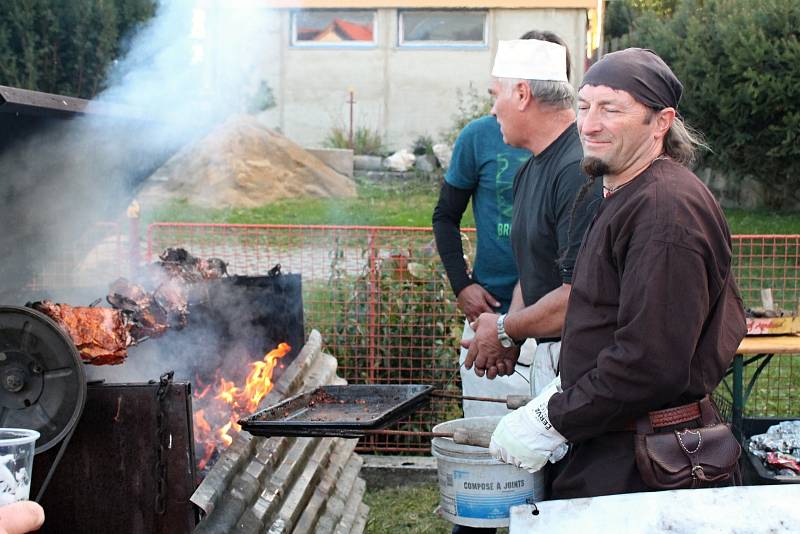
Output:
x,y
16,463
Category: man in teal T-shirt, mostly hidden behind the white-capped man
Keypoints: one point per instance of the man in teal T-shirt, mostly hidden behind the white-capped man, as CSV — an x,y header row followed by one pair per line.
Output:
x,y
483,171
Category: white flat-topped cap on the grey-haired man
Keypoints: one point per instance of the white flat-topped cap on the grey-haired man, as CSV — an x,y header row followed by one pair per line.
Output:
x,y
530,59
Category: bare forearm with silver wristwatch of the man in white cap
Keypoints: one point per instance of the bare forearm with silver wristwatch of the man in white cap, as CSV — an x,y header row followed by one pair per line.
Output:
x,y
544,318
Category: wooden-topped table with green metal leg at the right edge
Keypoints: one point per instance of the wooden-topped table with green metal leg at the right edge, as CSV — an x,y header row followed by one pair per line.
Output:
x,y
757,349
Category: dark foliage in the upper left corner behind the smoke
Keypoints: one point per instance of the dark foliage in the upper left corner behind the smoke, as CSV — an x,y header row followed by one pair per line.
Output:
x,y
66,47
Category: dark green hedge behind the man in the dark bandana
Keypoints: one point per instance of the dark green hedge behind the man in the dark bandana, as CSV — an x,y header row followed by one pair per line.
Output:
x,y
738,61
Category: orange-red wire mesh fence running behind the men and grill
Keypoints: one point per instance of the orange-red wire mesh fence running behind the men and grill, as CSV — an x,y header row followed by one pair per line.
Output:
x,y
382,302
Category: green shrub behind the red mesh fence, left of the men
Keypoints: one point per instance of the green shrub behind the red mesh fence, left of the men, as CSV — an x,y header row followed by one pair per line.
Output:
x,y
414,303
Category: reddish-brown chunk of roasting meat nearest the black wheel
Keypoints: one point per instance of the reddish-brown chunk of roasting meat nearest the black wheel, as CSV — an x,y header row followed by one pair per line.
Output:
x,y
102,335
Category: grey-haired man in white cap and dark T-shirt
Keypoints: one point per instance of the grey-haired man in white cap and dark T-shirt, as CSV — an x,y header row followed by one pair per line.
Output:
x,y
534,104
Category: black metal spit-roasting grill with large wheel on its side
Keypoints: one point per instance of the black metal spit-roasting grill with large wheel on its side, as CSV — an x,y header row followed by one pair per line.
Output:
x,y
124,452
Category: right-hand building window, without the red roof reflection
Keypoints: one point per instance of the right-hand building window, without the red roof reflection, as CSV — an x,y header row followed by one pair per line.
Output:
x,y
442,28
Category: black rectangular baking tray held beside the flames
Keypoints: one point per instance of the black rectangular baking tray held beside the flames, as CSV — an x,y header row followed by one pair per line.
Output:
x,y
338,411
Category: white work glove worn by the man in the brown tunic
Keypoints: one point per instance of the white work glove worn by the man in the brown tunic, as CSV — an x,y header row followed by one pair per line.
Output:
x,y
526,438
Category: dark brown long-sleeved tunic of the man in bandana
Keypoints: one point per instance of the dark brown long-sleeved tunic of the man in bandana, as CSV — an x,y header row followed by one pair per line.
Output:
x,y
653,321
